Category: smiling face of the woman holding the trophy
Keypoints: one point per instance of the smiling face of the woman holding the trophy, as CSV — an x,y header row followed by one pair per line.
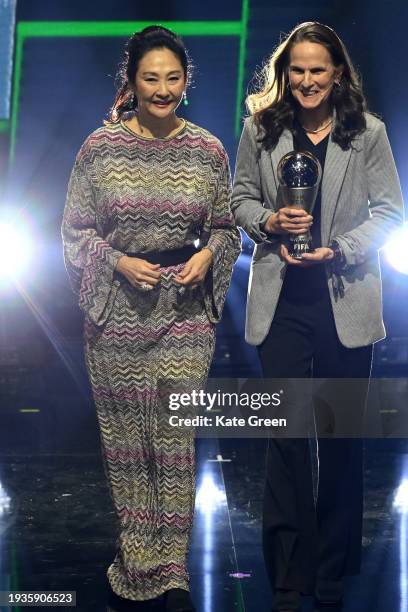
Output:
x,y
312,75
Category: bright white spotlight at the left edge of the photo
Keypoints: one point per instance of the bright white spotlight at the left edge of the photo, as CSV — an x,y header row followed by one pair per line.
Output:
x,y
14,250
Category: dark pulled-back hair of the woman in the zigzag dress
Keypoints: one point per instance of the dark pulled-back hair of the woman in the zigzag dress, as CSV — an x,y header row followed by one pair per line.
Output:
x,y
140,43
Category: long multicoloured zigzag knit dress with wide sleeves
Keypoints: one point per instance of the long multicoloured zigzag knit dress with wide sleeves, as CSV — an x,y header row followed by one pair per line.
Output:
x,y
132,194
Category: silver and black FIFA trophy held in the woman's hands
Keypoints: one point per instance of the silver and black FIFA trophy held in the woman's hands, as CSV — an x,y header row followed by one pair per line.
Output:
x,y
299,175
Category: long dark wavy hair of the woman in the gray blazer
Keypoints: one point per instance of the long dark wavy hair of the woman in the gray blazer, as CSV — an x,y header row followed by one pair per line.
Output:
x,y
274,107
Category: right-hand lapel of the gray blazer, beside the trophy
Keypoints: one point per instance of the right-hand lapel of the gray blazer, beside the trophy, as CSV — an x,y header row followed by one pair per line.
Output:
x,y
335,167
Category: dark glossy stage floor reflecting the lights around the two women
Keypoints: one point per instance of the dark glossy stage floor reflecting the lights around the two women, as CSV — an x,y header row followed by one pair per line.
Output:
x,y
57,526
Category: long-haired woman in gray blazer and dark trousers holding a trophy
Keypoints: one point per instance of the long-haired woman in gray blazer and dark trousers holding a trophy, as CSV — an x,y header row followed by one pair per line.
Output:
x,y
319,315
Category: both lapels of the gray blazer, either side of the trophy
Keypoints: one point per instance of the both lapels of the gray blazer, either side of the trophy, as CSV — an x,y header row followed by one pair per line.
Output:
x,y
335,168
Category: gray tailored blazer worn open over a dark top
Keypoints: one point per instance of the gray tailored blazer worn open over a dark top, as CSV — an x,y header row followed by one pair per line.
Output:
x,y
361,205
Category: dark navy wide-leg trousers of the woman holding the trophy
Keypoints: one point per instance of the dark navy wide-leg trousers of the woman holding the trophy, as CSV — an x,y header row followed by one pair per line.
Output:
x,y
306,542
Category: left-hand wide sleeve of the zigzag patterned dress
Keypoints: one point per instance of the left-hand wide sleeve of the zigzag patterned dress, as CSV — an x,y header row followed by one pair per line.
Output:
x,y
90,260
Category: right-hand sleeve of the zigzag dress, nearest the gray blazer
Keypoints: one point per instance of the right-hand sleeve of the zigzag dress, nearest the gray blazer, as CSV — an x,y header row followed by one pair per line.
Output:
x,y
222,237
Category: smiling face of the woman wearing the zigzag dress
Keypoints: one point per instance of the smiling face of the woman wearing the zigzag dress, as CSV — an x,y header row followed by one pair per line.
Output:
x,y
159,84
